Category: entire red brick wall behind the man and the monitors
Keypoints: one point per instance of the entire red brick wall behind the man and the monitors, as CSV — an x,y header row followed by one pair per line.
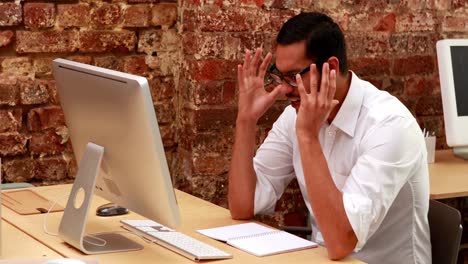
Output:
x,y
189,50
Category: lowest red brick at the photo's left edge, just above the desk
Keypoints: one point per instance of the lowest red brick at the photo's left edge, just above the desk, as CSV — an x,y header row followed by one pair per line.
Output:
x,y
18,170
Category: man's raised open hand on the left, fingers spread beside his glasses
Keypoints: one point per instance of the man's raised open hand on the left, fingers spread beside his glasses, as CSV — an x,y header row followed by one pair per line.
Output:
x,y
254,100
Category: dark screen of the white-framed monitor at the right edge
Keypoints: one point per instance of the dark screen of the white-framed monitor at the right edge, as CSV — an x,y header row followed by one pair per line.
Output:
x,y
459,56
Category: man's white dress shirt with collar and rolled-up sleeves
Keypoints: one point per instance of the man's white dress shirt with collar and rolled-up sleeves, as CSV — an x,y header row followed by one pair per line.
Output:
x,y
377,157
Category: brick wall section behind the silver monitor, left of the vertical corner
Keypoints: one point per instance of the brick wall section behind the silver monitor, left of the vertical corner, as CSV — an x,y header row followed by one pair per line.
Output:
x,y
139,37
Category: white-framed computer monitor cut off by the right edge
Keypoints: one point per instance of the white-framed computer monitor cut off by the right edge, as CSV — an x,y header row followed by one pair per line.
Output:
x,y
452,57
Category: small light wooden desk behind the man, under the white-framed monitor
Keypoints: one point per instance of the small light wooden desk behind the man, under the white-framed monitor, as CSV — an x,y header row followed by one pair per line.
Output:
x,y
448,176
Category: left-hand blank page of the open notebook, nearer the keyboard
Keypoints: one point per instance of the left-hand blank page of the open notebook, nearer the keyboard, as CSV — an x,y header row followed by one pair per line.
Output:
x,y
226,233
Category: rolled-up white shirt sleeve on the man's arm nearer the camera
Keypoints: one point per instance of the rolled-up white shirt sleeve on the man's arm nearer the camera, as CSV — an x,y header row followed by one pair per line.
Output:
x,y
389,155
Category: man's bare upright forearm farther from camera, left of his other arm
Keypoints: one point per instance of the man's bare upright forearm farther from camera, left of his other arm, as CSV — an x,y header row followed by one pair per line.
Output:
x,y
242,177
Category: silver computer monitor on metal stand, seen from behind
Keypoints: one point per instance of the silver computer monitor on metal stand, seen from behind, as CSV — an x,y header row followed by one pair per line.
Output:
x,y
116,141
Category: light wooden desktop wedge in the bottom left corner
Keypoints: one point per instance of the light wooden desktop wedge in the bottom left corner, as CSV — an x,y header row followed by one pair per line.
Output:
x,y
17,244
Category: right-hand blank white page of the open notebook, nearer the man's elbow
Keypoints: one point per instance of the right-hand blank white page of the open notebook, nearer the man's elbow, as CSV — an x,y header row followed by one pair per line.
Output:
x,y
271,243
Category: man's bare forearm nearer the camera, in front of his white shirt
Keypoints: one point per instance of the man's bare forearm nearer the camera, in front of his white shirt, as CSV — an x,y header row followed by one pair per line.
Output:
x,y
326,201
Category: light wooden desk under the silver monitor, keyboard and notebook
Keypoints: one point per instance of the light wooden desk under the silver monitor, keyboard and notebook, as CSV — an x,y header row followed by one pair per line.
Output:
x,y
196,214
